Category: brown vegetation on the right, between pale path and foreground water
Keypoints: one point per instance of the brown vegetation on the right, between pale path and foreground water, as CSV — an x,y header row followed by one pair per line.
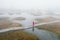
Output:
x,y
54,27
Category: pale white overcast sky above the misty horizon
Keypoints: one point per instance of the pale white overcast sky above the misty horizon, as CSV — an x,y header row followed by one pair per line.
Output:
x,y
27,4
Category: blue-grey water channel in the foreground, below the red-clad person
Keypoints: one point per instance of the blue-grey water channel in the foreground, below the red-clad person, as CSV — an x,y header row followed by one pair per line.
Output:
x,y
43,34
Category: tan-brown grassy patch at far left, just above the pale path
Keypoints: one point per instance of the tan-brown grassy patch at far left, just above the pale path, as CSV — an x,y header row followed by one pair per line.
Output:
x,y
7,24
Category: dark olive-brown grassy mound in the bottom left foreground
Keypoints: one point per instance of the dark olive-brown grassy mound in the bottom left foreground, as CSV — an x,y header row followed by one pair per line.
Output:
x,y
17,35
